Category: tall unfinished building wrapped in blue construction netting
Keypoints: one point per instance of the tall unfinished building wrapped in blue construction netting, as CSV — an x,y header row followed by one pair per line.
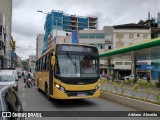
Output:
x,y
57,20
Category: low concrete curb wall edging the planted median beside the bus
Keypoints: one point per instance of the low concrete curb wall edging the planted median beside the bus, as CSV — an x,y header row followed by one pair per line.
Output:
x,y
141,105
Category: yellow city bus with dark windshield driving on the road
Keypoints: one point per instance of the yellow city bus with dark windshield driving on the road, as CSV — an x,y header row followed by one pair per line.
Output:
x,y
68,71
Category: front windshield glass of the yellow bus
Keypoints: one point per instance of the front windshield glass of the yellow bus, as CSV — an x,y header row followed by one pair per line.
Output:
x,y
70,65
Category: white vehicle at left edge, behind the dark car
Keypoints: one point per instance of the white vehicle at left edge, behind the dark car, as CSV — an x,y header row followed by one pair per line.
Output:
x,y
8,77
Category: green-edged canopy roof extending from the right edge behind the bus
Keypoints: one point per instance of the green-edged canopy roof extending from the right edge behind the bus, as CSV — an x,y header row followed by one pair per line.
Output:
x,y
146,50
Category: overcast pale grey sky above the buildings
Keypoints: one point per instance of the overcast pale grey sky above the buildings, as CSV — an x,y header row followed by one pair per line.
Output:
x,y
27,23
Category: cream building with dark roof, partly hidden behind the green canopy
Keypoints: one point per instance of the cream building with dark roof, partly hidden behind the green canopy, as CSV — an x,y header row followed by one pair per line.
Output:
x,y
124,35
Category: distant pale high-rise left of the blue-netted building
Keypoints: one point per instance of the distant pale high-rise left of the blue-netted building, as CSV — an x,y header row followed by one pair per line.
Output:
x,y
39,45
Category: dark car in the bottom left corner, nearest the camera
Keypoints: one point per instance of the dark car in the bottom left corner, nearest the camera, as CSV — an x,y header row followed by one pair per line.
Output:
x,y
10,102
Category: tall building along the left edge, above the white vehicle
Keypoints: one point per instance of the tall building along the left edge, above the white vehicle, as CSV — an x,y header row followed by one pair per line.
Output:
x,y
6,42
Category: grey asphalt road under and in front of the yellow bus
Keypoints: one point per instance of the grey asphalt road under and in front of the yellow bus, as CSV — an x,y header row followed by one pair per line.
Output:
x,y
32,100
